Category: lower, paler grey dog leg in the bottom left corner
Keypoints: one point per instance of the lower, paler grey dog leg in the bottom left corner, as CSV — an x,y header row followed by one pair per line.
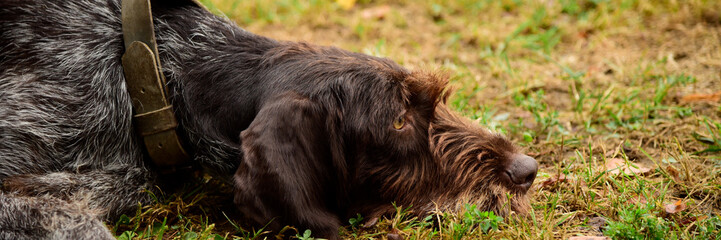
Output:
x,y
47,217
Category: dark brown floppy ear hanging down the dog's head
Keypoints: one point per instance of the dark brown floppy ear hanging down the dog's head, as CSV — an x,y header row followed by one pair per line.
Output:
x,y
286,174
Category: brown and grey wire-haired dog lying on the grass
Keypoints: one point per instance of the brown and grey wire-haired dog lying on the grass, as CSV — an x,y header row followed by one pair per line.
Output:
x,y
308,135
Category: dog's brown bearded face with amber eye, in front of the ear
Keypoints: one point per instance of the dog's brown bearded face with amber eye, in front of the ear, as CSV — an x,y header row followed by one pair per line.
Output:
x,y
408,147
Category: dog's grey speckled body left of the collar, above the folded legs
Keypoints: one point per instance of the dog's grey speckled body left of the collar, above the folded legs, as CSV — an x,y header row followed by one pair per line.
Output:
x,y
63,102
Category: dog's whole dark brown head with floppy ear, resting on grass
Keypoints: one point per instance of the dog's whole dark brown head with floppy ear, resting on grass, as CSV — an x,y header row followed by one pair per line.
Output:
x,y
344,133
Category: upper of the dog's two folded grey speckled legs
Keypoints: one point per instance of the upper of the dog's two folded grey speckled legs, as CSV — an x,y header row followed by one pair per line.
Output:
x,y
114,192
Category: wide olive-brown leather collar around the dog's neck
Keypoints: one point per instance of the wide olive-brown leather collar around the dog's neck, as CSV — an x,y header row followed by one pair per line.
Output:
x,y
154,119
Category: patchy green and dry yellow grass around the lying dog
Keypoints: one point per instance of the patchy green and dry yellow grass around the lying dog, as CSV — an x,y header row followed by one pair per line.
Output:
x,y
575,83
